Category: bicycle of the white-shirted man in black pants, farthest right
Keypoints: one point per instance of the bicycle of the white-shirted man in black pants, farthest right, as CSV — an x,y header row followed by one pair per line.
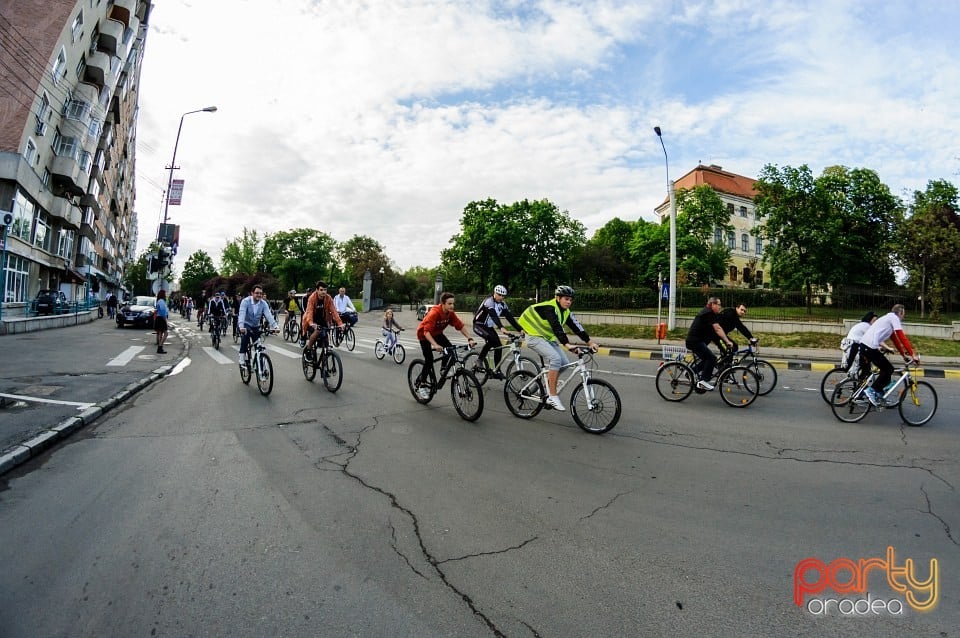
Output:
x,y
916,401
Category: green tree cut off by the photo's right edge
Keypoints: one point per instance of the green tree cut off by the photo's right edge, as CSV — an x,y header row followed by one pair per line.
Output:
x,y
929,243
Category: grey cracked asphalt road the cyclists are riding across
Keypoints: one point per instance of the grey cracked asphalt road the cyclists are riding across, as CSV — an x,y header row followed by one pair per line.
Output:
x,y
200,508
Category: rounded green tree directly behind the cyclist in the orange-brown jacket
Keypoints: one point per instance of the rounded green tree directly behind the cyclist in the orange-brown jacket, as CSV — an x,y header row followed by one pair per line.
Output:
x,y
299,257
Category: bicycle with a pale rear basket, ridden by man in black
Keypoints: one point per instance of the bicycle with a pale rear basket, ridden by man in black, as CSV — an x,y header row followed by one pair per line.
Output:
x,y
677,377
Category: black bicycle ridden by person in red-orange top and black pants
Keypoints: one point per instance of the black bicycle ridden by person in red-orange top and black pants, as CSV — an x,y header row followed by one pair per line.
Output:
x,y
465,391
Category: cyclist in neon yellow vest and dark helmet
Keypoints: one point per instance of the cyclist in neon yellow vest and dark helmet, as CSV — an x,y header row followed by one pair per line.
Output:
x,y
544,324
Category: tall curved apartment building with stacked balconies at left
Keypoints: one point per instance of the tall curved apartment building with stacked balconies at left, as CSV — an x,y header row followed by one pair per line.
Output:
x,y
70,71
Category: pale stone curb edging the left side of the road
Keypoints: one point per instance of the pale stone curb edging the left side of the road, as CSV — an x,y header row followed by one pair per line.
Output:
x,y
48,438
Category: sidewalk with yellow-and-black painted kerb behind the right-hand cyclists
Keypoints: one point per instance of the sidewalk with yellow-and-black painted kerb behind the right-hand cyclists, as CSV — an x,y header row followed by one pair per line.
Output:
x,y
787,358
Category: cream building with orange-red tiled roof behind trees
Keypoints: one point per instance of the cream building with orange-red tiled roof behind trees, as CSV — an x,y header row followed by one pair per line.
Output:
x,y
737,193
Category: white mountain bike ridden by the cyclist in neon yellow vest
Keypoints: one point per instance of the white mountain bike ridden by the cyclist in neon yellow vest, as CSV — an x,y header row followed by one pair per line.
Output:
x,y
594,404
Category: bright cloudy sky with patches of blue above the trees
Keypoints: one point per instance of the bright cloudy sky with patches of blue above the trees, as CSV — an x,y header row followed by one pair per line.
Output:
x,y
385,118
